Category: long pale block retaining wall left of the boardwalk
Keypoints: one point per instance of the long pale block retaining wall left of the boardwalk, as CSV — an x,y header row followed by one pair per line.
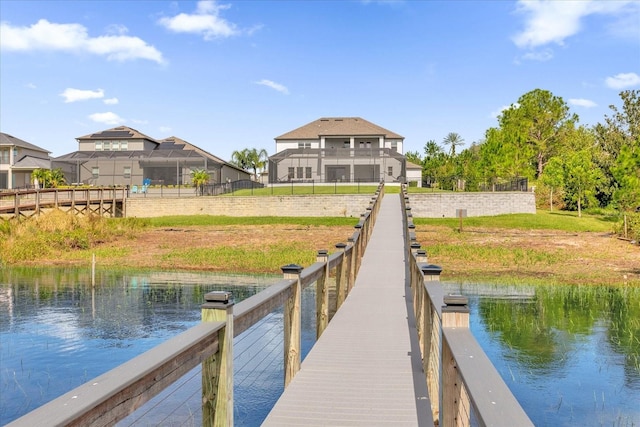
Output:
x,y
340,205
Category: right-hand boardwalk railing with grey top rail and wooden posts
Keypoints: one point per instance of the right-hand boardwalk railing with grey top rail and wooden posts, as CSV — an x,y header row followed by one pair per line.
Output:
x,y
464,387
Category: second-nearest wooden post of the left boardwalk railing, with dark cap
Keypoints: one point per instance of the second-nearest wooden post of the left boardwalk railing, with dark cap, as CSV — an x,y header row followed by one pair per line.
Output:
x,y
292,324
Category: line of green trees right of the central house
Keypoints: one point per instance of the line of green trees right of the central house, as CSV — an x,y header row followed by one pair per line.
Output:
x,y
571,166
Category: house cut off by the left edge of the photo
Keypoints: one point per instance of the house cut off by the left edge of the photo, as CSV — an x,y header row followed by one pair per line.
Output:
x,y
18,159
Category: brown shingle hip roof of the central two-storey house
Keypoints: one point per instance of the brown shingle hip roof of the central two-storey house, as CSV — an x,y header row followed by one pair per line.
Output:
x,y
338,126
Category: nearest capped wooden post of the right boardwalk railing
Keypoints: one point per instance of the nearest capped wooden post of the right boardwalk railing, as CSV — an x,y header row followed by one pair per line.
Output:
x,y
455,400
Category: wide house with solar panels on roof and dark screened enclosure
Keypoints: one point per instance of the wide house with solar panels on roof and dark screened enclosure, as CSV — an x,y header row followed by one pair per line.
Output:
x,y
125,156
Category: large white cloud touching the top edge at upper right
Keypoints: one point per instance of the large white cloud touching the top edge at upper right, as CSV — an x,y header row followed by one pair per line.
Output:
x,y
550,21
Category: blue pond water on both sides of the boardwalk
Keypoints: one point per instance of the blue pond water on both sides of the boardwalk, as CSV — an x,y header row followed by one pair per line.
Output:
x,y
570,355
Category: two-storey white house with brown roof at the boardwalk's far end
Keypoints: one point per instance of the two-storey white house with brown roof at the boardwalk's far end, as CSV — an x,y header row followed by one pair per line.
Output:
x,y
338,149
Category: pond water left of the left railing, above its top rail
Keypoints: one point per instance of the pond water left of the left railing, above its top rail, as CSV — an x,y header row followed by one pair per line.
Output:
x,y
57,331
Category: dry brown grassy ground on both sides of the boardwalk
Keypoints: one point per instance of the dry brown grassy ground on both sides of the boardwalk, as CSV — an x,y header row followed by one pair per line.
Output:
x,y
492,255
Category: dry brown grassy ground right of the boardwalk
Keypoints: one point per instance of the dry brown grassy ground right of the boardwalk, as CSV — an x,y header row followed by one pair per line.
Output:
x,y
541,255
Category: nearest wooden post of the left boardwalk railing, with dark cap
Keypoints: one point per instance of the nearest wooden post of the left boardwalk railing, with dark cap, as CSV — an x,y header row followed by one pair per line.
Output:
x,y
217,370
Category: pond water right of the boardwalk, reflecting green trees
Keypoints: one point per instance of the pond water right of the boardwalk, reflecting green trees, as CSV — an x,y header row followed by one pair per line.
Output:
x,y
570,354
